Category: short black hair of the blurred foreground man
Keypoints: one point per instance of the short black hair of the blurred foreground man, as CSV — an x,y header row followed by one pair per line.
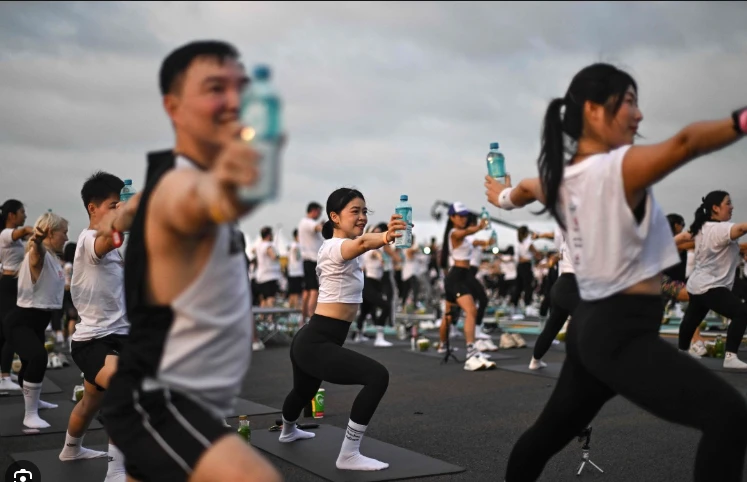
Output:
x,y
177,62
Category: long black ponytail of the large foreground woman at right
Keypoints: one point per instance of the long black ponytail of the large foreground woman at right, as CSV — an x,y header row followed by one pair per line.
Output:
x,y
552,158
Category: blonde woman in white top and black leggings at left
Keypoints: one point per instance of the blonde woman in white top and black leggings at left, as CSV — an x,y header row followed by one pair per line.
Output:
x,y
41,285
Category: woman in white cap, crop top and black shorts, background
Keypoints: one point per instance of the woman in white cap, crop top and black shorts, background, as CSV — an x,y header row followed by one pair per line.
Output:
x,y
458,284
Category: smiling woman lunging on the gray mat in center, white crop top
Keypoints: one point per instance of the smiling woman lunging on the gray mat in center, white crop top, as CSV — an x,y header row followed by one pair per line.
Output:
x,y
316,352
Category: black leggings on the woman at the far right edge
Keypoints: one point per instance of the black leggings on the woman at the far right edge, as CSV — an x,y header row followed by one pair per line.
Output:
x,y
723,302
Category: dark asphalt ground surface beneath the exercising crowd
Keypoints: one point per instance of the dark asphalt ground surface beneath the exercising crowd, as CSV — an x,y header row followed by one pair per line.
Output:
x,y
470,419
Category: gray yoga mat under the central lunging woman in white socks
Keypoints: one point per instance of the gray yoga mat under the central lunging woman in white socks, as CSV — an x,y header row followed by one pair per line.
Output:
x,y
318,456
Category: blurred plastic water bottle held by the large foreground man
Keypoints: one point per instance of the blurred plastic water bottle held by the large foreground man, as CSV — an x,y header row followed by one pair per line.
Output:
x,y
261,114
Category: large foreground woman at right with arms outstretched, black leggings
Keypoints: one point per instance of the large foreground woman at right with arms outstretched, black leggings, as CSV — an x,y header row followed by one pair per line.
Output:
x,y
619,242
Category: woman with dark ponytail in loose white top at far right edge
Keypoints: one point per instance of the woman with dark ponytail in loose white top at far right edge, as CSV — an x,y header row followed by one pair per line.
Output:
x,y
710,284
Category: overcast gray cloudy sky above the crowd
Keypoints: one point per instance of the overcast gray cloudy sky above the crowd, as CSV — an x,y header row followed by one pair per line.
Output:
x,y
390,98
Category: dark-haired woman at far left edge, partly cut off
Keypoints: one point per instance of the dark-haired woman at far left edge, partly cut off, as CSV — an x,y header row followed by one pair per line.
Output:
x,y
12,217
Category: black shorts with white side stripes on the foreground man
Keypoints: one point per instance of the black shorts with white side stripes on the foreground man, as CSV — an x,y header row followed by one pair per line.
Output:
x,y
161,433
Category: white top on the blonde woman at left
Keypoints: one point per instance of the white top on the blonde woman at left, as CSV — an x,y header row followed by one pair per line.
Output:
x,y
47,292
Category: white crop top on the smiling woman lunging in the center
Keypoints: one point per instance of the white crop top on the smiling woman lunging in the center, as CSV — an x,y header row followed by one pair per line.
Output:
x,y
340,281
